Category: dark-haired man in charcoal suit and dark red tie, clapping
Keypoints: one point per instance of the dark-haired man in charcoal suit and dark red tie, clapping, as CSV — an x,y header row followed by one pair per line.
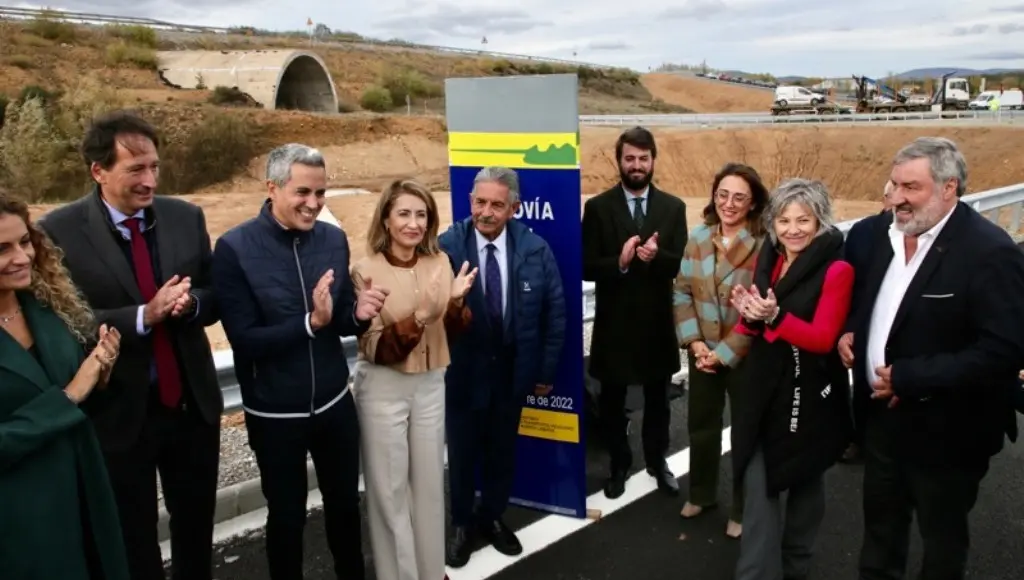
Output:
x,y
143,262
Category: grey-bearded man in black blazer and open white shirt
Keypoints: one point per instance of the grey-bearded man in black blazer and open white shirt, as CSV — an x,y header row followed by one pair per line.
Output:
x,y
938,343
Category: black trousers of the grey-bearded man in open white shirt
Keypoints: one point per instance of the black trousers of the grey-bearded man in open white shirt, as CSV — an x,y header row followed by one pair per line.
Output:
x,y
943,499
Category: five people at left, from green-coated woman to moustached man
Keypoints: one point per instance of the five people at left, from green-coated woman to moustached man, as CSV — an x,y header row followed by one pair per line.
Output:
x,y
107,377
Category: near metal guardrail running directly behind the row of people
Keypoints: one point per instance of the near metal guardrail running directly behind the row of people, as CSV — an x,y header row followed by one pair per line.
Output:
x,y
989,203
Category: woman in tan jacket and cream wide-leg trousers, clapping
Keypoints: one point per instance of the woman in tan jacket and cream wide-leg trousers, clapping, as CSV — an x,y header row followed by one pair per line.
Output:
x,y
400,382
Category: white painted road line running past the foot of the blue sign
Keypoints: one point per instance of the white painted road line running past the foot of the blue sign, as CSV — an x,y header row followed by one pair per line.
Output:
x,y
545,532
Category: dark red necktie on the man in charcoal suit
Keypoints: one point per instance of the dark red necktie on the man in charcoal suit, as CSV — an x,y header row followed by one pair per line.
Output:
x,y
168,377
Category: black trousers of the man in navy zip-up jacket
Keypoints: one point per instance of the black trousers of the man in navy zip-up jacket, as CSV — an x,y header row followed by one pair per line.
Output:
x,y
280,445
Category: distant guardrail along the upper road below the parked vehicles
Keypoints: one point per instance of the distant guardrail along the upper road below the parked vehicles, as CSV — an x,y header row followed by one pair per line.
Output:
x,y
669,120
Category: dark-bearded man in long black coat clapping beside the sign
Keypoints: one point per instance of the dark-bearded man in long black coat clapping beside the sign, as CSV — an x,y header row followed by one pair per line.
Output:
x,y
633,240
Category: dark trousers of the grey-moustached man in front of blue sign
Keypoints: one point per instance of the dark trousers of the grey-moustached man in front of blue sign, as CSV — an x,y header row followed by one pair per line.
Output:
x,y
483,440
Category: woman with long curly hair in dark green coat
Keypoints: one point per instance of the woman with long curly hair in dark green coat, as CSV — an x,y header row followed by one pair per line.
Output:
x,y
59,520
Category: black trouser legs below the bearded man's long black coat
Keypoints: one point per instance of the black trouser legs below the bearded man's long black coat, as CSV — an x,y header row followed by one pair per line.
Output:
x,y
657,415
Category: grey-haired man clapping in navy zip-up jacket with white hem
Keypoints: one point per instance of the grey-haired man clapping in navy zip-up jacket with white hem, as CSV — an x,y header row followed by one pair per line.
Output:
x,y
285,295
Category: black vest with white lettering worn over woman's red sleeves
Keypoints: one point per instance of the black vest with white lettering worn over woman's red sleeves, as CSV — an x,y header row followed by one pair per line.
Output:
x,y
794,403
